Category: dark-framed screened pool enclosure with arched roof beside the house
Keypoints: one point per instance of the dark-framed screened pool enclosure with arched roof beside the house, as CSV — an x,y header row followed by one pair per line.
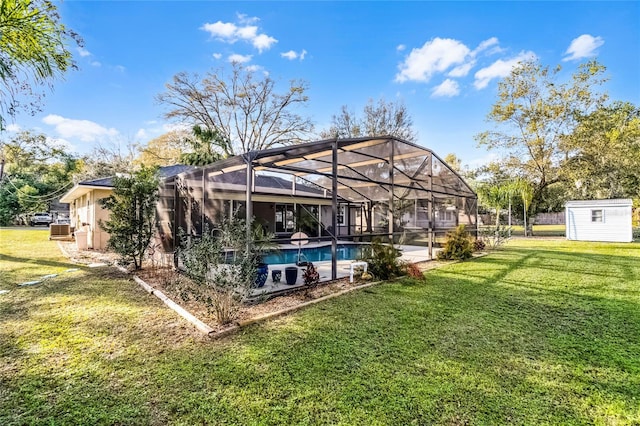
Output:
x,y
335,191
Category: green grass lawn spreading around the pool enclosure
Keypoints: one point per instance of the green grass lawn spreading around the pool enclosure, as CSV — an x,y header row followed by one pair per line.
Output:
x,y
540,332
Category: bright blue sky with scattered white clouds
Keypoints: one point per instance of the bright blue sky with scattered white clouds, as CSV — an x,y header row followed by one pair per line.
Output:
x,y
442,59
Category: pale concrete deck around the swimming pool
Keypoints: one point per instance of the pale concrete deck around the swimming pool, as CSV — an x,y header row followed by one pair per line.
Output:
x,y
409,253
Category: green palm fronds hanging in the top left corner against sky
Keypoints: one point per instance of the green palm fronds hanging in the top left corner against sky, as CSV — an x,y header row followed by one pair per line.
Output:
x,y
34,51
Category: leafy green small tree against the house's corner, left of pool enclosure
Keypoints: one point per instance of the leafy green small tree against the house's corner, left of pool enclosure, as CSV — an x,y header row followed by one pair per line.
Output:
x,y
132,208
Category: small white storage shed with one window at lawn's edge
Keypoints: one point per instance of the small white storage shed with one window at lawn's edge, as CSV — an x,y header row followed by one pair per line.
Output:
x,y
599,220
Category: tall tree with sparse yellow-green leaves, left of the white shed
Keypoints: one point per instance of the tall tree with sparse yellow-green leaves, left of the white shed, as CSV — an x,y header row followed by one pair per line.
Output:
x,y
535,113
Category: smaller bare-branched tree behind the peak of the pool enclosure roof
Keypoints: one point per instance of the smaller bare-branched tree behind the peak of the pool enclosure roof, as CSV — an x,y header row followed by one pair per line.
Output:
x,y
379,118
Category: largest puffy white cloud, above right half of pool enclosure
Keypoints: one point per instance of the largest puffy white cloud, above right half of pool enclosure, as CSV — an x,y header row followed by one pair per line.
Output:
x,y
434,56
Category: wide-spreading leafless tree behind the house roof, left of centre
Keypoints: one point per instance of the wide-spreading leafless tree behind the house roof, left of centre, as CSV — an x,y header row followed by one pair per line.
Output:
x,y
243,107
